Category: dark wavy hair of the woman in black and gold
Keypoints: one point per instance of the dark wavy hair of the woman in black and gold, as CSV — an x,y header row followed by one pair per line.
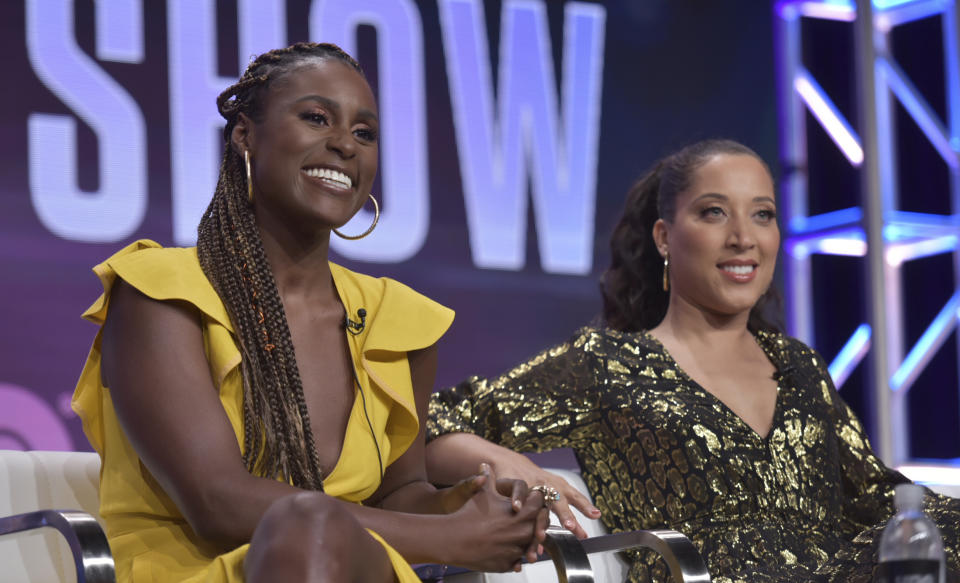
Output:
x,y
633,294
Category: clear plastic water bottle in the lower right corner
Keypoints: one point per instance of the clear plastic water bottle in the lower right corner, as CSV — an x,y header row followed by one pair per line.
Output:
x,y
911,550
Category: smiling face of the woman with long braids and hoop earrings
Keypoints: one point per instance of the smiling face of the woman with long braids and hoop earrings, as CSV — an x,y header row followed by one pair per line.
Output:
x,y
314,148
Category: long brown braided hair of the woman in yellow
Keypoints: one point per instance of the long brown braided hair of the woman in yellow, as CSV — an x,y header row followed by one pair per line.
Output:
x,y
277,437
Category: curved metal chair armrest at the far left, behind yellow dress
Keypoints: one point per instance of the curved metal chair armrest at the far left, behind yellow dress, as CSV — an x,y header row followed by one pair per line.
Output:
x,y
91,552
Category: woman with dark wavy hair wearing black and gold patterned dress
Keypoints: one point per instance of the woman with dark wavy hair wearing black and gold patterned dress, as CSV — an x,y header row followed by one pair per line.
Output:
x,y
689,410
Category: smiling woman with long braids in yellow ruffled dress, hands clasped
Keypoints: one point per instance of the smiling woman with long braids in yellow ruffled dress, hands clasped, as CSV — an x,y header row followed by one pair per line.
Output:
x,y
257,408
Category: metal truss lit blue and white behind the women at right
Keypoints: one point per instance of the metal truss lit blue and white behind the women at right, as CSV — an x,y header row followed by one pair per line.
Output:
x,y
877,223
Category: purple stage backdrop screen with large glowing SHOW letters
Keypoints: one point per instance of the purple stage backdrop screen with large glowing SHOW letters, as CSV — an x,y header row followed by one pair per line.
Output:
x,y
511,131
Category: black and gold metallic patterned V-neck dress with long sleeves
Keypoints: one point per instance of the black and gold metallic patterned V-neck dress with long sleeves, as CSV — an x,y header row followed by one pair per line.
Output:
x,y
805,503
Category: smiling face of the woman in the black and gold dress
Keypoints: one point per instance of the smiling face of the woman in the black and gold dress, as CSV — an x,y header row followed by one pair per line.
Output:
x,y
723,239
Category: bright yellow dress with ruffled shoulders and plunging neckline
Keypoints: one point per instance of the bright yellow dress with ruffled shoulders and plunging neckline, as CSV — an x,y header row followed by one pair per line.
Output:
x,y
150,539
